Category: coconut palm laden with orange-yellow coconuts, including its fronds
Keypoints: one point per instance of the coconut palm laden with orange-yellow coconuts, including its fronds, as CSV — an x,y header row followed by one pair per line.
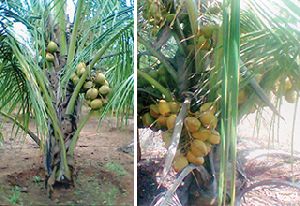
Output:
x,y
219,62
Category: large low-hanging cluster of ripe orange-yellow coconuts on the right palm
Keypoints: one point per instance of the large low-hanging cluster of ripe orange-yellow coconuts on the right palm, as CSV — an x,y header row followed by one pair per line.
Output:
x,y
198,134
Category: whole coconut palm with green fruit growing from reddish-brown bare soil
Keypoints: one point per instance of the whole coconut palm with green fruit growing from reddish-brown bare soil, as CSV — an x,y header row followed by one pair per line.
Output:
x,y
50,57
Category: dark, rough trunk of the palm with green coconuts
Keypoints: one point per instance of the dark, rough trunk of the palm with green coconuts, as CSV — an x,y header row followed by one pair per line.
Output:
x,y
68,125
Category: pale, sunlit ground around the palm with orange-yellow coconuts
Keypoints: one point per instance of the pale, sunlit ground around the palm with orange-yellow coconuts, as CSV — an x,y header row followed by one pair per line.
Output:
x,y
262,157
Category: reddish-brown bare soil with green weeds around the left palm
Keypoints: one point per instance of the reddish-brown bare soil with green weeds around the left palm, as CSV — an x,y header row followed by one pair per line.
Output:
x,y
104,172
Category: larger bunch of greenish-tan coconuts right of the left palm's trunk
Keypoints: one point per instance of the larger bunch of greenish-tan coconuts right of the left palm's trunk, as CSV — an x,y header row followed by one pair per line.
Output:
x,y
96,87
